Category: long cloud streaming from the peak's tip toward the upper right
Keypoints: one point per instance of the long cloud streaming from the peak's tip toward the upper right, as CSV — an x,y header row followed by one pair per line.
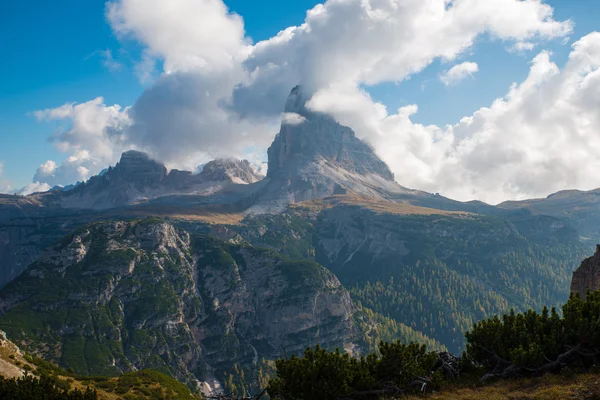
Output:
x,y
368,42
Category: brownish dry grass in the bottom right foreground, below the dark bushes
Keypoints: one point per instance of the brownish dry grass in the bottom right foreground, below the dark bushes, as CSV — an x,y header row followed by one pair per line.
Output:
x,y
551,387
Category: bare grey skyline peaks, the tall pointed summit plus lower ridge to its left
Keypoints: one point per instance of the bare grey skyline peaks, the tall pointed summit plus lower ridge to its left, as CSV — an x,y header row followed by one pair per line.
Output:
x,y
312,157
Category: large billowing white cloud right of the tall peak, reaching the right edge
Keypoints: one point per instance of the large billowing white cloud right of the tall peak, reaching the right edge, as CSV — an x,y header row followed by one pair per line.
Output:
x,y
541,137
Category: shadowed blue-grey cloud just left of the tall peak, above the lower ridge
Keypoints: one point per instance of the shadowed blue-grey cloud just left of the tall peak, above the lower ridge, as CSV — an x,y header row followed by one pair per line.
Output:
x,y
181,120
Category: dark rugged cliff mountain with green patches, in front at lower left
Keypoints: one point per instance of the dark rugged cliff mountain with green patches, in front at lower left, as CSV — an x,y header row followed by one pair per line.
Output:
x,y
120,296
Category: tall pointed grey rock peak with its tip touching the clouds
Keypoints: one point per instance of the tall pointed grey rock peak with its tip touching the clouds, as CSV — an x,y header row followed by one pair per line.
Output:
x,y
313,156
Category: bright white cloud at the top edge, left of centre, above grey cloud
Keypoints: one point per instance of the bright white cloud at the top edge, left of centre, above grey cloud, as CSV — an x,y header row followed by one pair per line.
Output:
x,y
186,34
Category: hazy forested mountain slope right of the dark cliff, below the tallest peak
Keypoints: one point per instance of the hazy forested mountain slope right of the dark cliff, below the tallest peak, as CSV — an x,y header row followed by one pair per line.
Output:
x,y
434,270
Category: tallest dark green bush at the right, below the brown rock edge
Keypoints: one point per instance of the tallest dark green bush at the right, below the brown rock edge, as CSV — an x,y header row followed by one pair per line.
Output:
x,y
534,342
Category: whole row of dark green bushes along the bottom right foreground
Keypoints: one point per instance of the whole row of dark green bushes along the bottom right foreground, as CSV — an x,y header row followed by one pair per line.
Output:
x,y
514,345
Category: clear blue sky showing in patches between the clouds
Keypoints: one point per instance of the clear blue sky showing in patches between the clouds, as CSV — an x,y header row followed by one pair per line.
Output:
x,y
52,55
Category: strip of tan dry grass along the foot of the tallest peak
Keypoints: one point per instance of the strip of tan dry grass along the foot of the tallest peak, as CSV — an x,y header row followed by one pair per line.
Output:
x,y
378,206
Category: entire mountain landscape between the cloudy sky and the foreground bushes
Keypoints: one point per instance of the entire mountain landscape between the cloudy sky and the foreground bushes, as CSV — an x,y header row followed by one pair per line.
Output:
x,y
209,277
